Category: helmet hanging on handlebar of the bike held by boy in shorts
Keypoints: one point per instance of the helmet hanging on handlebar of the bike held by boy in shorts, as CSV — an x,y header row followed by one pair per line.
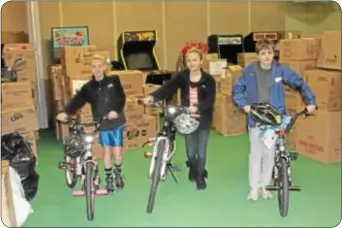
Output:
x,y
74,146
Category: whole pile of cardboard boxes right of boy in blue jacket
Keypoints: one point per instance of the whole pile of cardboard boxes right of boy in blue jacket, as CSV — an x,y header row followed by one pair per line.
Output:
x,y
317,60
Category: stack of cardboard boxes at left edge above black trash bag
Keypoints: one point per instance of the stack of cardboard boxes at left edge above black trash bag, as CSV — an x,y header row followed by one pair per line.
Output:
x,y
18,103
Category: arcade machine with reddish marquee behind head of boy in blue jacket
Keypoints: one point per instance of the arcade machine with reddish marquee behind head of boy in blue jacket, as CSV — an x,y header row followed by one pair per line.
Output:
x,y
253,37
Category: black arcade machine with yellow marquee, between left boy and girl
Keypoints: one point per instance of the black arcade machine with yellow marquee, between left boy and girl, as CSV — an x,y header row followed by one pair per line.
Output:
x,y
136,52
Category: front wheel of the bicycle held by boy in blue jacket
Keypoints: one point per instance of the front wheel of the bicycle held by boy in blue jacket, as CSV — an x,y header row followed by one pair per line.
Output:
x,y
283,191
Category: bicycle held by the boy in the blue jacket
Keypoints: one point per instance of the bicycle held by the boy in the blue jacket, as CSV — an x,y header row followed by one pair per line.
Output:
x,y
282,180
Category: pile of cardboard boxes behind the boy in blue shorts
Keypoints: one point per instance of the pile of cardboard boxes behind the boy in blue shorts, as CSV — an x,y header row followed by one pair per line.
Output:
x,y
68,78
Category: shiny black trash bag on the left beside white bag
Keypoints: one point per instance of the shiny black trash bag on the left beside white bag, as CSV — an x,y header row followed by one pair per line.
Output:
x,y
16,149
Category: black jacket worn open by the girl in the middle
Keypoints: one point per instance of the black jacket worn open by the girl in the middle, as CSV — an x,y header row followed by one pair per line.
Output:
x,y
206,94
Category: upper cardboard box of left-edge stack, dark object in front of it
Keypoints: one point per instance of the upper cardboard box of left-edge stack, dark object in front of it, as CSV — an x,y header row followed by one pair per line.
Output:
x,y
25,68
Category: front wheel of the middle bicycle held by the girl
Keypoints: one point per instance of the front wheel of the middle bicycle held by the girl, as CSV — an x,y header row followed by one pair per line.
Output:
x,y
155,176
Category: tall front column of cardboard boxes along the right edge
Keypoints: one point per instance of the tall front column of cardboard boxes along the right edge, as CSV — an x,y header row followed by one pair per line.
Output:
x,y
319,137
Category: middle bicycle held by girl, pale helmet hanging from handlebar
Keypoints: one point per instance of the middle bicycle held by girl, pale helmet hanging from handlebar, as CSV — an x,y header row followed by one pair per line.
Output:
x,y
164,147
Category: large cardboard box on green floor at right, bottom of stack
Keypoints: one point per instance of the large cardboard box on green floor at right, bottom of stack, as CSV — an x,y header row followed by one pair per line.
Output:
x,y
319,136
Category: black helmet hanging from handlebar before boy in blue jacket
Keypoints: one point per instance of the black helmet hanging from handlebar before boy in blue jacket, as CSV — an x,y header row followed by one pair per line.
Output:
x,y
266,114
